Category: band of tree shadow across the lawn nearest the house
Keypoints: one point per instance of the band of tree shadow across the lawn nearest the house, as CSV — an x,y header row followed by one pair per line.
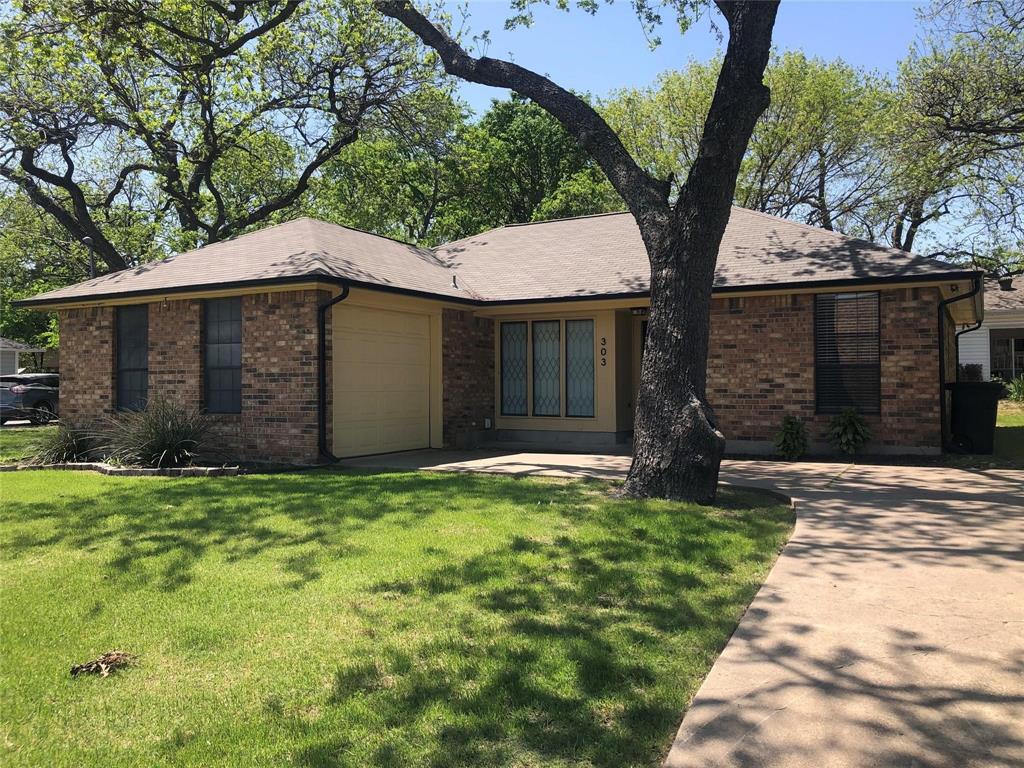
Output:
x,y
180,522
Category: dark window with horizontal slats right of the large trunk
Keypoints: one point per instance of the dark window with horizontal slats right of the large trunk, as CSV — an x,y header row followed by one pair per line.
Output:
x,y
847,359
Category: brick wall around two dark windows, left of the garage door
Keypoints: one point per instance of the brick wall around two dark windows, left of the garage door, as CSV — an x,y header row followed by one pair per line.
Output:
x,y
279,419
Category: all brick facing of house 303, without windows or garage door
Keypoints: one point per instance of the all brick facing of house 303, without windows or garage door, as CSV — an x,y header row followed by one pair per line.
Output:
x,y
761,368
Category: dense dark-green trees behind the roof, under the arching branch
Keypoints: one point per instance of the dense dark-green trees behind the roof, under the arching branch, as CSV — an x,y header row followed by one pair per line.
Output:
x,y
453,178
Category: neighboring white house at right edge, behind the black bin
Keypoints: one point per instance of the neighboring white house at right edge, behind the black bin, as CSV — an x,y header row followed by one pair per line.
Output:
x,y
999,345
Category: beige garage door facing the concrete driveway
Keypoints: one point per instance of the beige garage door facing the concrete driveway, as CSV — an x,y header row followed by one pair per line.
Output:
x,y
381,381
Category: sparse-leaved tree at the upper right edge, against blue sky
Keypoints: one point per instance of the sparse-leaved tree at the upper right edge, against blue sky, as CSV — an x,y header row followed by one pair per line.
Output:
x,y
965,83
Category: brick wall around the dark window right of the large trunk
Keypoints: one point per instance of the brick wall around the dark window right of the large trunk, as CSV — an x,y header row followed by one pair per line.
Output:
x,y
761,368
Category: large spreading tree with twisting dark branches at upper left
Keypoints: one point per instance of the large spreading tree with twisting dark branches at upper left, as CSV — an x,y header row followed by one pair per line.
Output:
x,y
206,118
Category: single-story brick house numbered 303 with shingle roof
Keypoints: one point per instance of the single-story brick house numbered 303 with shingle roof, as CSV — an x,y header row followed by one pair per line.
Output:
x,y
310,339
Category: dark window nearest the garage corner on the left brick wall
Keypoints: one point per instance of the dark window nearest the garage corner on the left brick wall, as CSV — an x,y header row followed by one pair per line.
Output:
x,y
223,356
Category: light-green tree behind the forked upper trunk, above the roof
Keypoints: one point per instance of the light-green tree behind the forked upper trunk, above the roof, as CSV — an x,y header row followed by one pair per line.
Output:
x,y
814,155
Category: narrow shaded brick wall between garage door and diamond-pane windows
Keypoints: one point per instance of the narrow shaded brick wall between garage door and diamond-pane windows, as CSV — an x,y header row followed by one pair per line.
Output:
x,y
468,367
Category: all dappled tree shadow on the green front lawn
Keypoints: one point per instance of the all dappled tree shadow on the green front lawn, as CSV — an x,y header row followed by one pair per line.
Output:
x,y
580,647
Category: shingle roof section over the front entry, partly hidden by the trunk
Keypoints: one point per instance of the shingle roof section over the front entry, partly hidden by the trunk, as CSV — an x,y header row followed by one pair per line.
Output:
x,y
605,254
